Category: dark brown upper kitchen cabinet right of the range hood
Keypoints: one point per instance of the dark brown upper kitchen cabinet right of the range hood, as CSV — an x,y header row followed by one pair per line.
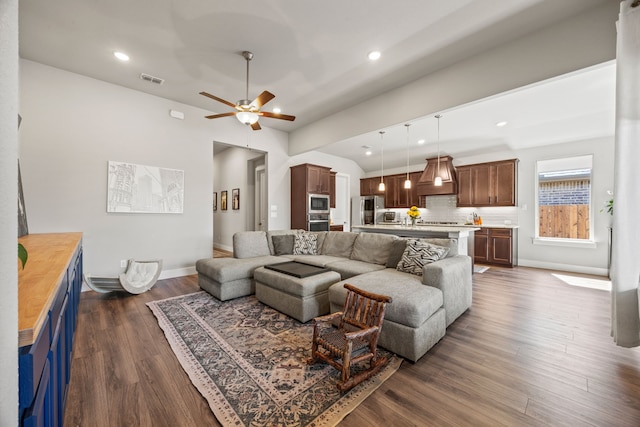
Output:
x,y
487,184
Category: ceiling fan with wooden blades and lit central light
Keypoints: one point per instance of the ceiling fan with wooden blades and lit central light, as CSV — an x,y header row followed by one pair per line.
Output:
x,y
248,112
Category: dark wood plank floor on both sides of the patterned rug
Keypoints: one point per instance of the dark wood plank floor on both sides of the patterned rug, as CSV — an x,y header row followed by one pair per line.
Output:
x,y
532,350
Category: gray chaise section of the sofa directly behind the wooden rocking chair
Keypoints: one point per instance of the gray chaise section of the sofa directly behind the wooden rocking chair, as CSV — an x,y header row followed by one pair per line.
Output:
x,y
415,319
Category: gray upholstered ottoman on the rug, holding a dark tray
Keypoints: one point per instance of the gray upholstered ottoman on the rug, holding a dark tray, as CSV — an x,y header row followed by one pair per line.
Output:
x,y
301,298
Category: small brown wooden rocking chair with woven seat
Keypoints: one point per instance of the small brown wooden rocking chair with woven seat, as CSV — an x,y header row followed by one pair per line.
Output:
x,y
346,338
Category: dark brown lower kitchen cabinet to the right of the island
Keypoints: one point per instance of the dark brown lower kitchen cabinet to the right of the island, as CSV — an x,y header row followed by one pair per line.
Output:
x,y
494,246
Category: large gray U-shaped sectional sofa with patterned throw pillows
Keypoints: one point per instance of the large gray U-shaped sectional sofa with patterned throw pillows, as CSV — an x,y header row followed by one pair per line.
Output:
x,y
422,307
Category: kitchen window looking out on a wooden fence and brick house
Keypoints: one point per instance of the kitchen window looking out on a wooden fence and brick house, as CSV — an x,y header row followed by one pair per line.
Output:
x,y
563,200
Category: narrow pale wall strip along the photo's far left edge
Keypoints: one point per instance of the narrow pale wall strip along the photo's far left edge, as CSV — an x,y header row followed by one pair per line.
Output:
x,y
8,211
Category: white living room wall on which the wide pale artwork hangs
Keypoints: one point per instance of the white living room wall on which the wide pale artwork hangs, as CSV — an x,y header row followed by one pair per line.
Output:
x,y
73,125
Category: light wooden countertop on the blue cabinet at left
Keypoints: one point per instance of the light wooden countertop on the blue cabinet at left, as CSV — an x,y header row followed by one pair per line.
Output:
x,y
49,257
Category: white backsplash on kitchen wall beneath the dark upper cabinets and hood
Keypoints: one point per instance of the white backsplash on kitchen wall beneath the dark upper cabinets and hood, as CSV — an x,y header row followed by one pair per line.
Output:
x,y
443,208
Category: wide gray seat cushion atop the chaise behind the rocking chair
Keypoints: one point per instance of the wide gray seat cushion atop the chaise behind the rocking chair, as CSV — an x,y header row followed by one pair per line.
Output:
x,y
412,302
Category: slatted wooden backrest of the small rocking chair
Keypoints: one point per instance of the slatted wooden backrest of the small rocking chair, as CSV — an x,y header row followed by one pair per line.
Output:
x,y
363,309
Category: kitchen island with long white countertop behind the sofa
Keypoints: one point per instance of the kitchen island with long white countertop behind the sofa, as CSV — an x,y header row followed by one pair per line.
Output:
x,y
463,233
